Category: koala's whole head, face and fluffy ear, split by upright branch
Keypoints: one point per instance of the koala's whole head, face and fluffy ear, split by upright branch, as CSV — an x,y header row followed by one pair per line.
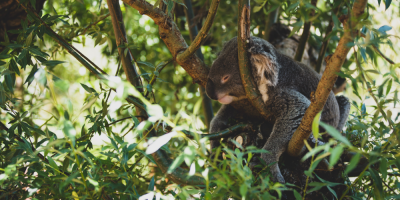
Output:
x,y
224,83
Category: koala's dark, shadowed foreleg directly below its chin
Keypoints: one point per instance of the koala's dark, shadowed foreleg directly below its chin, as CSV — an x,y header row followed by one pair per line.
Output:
x,y
220,122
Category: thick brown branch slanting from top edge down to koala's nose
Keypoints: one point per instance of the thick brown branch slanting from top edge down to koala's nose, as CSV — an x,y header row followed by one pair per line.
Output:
x,y
171,36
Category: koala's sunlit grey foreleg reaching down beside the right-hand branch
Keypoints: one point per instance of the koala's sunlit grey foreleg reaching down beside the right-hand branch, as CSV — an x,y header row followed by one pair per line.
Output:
x,y
289,107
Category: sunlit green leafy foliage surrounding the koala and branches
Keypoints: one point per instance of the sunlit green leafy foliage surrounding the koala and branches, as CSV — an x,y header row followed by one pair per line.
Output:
x,y
71,135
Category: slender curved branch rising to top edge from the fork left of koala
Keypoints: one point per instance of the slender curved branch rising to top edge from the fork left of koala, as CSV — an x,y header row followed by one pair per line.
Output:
x,y
196,43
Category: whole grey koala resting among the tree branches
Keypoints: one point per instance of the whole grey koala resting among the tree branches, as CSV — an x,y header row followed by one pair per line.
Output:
x,y
285,86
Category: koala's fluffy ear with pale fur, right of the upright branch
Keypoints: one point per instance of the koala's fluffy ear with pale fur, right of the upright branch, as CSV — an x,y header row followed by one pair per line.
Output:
x,y
263,58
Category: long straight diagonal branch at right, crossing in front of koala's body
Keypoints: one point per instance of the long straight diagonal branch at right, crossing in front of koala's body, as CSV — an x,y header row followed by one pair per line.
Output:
x,y
328,79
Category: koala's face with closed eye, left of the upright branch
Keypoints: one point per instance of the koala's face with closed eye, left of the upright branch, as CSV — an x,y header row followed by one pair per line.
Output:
x,y
224,83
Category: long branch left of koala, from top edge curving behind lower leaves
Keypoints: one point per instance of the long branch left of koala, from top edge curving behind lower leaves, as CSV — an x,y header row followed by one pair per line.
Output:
x,y
163,162
